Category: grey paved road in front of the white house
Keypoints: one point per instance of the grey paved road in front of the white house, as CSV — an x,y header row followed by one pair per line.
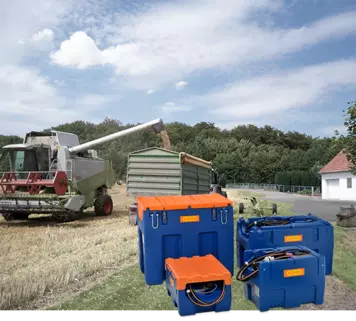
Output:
x,y
304,204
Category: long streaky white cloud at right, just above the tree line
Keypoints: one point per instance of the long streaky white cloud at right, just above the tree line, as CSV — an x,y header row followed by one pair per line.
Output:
x,y
272,94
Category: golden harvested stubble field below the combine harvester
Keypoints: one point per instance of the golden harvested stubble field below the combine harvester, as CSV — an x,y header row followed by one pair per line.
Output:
x,y
40,256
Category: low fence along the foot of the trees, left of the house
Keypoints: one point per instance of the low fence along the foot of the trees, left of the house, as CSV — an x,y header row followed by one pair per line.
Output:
x,y
303,190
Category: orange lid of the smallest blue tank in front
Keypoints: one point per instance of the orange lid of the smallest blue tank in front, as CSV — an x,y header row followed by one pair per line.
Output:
x,y
197,269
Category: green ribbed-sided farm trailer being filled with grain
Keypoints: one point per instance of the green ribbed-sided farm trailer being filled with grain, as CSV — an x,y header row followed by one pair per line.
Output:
x,y
156,171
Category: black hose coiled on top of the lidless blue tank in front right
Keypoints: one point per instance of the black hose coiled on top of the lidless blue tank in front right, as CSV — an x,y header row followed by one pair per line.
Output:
x,y
275,255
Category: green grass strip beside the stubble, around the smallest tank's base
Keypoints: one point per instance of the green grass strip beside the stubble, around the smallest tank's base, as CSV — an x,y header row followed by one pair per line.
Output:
x,y
127,292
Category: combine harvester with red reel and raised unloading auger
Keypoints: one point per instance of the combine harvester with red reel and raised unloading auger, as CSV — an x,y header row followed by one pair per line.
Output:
x,y
51,173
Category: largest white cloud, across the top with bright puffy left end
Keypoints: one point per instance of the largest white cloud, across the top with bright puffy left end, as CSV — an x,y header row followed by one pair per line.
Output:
x,y
170,40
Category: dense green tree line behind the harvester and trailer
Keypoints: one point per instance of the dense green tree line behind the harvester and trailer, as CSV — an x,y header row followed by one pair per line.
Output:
x,y
245,154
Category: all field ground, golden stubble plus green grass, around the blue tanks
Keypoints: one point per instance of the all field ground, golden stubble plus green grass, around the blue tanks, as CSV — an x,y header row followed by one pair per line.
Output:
x,y
92,265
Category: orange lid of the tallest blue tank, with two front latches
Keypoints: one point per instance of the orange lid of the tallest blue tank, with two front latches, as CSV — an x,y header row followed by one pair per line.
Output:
x,y
160,203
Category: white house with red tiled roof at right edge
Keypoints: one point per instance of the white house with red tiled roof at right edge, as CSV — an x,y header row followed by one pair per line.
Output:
x,y
337,181
